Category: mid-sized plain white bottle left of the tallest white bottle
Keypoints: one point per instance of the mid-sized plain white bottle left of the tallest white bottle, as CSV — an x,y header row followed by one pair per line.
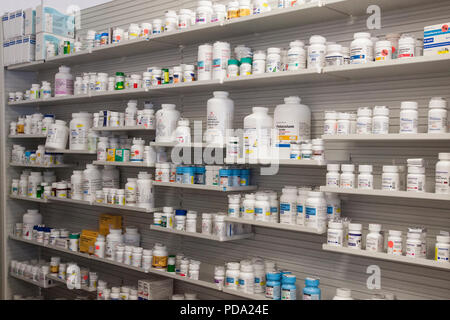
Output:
x,y
166,122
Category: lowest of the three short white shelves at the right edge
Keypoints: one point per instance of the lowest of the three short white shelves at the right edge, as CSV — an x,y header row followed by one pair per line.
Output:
x,y
388,257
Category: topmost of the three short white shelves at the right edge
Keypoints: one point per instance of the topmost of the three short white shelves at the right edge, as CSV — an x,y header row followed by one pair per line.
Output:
x,y
388,137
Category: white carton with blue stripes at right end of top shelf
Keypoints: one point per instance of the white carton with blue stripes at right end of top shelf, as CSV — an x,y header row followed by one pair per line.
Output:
x,y
436,39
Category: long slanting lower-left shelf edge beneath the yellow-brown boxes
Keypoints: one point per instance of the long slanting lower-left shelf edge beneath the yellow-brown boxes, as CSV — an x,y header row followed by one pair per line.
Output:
x,y
163,273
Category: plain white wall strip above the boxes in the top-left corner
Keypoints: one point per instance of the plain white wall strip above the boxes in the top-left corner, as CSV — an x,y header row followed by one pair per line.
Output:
x,y
61,5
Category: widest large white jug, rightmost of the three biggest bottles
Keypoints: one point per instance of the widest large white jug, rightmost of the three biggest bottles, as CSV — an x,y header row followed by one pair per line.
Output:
x,y
292,120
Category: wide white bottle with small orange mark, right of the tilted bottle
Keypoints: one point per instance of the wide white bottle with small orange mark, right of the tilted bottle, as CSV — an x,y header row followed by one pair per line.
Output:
x,y
79,131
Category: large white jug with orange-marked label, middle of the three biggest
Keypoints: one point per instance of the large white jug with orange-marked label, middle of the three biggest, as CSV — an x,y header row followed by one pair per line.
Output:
x,y
257,134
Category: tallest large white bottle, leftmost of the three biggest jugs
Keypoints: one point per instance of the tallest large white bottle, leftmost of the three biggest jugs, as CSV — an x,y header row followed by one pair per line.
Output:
x,y
219,118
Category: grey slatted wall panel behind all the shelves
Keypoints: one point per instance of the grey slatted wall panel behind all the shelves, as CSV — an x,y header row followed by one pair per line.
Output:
x,y
298,252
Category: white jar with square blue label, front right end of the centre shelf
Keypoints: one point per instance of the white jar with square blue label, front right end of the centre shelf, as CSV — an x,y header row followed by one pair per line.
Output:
x,y
316,211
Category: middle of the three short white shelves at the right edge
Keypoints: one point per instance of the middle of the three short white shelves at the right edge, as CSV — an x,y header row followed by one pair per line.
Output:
x,y
393,194
